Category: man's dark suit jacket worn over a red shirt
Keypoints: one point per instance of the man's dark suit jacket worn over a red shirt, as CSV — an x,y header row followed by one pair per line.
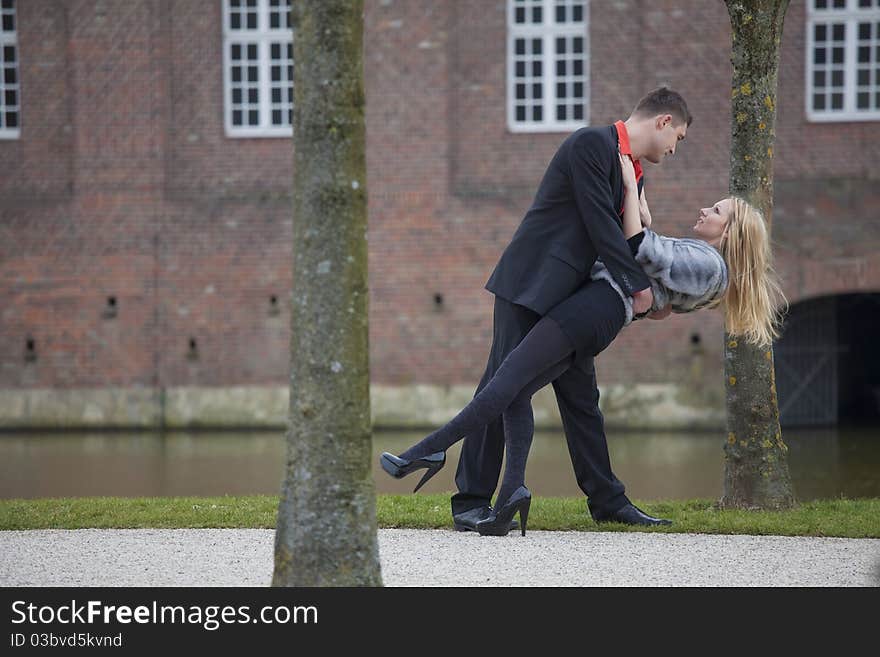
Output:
x,y
573,220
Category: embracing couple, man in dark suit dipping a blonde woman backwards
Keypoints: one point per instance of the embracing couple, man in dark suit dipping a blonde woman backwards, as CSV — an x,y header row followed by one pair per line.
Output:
x,y
582,265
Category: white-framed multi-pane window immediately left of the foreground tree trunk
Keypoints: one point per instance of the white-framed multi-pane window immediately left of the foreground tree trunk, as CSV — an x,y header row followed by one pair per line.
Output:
x,y
258,68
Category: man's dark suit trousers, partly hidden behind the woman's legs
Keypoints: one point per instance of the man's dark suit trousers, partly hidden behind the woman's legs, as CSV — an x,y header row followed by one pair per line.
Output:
x,y
577,396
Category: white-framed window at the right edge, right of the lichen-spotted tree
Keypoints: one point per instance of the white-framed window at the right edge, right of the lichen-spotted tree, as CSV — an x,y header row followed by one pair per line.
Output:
x,y
843,60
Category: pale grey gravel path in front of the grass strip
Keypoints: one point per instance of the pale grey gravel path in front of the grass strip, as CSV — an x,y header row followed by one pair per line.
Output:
x,y
243,557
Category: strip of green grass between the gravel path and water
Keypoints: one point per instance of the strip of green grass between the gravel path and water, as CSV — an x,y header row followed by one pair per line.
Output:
x,y
852,518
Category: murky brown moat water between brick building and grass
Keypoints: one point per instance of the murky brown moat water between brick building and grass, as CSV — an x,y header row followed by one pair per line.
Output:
x,y
824,463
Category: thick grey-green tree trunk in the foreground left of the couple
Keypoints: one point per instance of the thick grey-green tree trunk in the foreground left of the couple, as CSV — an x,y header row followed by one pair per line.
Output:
x,y
326,532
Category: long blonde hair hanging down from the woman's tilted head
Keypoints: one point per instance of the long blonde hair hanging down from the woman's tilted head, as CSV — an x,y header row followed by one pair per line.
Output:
x,y
753,299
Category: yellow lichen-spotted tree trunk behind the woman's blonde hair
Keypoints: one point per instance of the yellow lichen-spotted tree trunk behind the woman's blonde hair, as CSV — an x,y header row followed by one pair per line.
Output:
x,y
755,464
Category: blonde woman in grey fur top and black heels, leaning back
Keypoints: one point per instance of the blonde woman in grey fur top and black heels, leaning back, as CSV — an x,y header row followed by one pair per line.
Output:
x,y
726,264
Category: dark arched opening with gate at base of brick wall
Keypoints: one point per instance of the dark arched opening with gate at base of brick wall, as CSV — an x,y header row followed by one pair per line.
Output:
x,y
828,362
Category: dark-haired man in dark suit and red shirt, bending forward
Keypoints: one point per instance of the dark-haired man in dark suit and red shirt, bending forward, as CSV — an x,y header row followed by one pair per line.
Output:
x,y
575,219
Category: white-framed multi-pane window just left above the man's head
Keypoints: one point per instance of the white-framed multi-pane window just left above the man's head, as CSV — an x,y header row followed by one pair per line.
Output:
x,y
548,65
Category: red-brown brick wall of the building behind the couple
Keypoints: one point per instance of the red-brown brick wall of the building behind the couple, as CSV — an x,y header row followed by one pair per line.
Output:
x,y
143,249
